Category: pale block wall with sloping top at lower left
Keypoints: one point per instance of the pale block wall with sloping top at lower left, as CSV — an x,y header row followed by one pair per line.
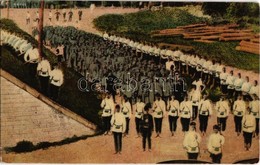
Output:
x,y
27,117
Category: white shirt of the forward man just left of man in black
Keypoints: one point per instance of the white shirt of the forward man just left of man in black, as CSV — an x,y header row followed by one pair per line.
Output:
x,y
118,123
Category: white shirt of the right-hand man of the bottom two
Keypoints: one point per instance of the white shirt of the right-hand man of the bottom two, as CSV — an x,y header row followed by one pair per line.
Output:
x,y
215,143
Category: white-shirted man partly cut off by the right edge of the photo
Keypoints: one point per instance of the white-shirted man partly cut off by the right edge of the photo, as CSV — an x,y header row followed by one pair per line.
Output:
x,y
254,106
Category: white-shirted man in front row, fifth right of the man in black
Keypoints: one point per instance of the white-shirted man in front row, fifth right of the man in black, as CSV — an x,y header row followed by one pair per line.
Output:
x,y
222,109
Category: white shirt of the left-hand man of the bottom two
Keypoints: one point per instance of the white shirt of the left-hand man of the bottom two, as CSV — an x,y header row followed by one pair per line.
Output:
x,y
191,141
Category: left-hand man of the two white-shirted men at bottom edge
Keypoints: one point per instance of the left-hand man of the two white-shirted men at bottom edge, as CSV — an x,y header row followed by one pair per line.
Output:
x,y
191,142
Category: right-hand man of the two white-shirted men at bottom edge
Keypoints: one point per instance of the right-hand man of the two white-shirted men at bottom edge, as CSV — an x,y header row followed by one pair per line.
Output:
x,y
215,144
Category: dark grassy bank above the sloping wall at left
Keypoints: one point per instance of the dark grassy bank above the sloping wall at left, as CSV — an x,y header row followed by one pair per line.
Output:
x,y
85,104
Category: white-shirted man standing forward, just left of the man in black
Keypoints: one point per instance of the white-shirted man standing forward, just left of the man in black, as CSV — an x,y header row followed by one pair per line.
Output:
x,y
118,124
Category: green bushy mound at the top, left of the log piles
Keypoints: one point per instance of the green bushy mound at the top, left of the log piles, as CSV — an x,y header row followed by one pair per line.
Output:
x,y
145,21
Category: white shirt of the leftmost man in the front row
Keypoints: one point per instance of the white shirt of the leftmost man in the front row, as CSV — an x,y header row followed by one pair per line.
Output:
x,y
108,107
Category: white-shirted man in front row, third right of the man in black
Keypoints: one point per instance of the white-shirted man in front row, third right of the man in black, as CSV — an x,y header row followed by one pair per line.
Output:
x,y
185,113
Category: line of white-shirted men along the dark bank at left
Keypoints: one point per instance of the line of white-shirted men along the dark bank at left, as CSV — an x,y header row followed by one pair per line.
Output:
x,y
50,79
